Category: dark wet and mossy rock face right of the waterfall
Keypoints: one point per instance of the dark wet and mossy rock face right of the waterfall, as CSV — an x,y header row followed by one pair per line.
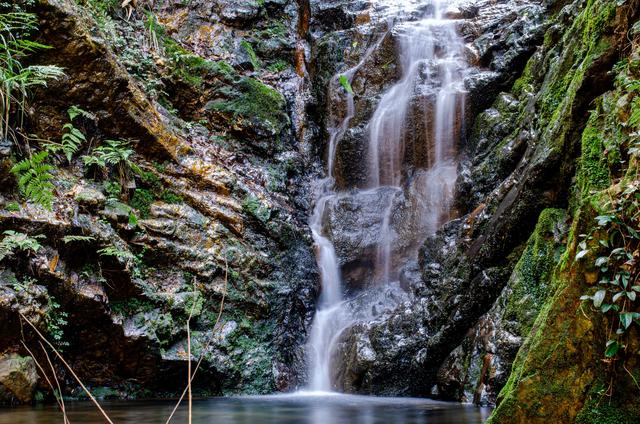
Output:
x,y
478,283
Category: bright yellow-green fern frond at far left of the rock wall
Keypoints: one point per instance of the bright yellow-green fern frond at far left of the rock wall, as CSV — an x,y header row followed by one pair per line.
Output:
x,y
34,179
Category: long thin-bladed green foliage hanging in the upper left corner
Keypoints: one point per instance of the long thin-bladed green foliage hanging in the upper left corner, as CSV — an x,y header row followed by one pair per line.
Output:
x,y
16,80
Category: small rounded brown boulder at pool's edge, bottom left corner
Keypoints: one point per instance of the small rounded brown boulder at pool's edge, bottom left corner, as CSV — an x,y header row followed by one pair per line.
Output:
x,y
18,379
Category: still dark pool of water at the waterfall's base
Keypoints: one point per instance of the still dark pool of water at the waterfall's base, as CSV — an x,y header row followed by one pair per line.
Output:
x,y
281,409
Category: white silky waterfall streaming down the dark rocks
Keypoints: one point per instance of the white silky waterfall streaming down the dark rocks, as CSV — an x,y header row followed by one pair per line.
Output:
x,y
431,62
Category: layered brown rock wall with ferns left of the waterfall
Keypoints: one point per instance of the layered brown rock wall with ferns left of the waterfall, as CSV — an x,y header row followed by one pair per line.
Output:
x,y
209,222
